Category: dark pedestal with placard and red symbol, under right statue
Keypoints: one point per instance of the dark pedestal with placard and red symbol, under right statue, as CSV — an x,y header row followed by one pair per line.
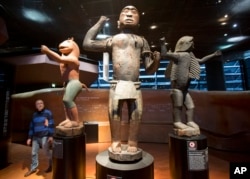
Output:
x,y
188,157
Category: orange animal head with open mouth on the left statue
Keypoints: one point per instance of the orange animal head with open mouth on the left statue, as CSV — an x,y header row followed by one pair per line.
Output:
x,y
69,47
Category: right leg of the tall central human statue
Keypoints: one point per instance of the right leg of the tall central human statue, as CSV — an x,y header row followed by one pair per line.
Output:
x,y
135,108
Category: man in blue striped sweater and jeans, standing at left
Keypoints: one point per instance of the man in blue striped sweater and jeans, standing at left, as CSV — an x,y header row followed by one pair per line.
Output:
x,y
41,132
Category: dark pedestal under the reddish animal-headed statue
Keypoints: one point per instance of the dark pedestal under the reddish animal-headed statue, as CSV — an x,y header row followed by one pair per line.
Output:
x,y
69,157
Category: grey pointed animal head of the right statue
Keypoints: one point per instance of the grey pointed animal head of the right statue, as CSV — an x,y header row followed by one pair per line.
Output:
x,y
184,44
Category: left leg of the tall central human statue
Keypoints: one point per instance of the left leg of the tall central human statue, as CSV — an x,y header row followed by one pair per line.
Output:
x,y
115,121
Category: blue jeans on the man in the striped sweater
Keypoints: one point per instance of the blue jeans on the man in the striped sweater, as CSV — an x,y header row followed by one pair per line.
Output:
x,y
36,143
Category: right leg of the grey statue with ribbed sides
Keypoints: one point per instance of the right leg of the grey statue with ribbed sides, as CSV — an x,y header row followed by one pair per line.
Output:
x,y
188,101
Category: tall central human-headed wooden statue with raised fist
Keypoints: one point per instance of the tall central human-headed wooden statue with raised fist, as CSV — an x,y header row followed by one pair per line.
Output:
x,y
127,50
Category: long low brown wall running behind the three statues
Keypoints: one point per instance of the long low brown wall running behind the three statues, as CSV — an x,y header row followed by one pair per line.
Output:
x,y
222,116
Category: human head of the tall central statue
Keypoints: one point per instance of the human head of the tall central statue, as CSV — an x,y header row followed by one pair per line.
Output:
x,y
129,18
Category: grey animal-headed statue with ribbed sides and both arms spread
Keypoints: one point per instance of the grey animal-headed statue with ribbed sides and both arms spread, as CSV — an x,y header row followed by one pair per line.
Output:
x,y
183,67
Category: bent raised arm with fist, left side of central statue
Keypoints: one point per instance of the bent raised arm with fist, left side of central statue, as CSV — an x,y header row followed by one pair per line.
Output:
x,y
90,43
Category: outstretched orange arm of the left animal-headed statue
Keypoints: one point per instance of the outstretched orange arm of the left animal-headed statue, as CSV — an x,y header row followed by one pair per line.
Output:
x,y
56,57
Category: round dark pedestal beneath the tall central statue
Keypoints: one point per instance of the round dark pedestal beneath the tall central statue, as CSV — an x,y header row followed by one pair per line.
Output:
x,y
107,169
